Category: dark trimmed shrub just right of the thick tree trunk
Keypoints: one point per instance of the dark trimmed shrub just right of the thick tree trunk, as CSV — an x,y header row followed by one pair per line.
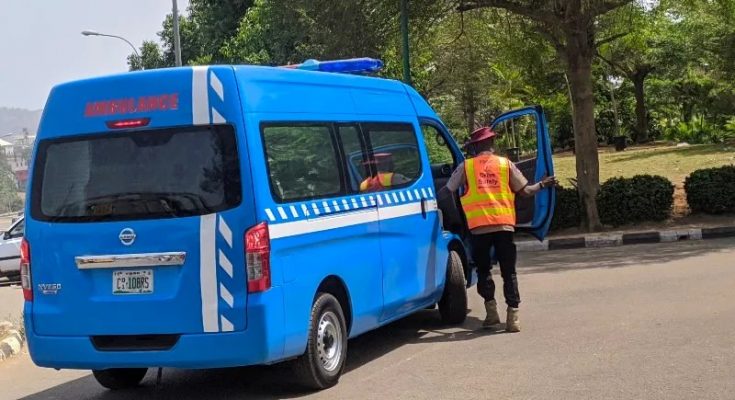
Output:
x,y
629,200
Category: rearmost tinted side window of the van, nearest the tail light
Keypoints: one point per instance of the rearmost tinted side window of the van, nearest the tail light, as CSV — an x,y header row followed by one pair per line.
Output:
x,y
302,161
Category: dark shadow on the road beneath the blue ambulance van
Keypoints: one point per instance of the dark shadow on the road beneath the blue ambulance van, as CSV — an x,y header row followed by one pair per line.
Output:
x,y
274,382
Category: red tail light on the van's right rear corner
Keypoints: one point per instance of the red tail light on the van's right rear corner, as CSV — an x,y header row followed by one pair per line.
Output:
x,y
257,255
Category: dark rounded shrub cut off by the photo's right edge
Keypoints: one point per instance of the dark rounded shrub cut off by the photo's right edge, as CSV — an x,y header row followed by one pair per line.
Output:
x,y
711,190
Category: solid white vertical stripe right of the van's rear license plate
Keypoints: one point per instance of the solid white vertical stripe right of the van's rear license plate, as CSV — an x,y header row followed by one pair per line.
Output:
x,y
208,272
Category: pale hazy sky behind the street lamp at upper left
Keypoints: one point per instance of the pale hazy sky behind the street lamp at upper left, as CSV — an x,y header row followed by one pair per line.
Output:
x,y
41,42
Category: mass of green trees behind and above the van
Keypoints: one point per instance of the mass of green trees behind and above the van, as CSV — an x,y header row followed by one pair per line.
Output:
x,y
674,60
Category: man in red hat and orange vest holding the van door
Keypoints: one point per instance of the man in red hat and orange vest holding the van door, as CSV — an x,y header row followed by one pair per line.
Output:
x,y
490,185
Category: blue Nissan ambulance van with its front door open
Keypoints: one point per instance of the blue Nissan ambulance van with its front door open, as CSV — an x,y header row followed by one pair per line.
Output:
x,y
216,216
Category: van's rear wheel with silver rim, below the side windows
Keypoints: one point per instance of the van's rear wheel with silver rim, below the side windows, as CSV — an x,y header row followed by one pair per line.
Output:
x,y
321,365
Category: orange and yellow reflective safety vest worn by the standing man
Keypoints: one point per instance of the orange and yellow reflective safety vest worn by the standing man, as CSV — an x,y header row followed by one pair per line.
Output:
x,y
488,199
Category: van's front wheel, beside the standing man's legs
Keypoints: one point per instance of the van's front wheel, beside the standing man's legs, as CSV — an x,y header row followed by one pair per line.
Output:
x,y
453,304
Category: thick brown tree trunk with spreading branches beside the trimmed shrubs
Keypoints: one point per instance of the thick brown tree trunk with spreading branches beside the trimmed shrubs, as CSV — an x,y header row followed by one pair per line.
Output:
x,y
570,25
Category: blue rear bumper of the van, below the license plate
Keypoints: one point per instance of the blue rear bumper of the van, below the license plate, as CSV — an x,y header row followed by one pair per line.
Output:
x,y
261,343
